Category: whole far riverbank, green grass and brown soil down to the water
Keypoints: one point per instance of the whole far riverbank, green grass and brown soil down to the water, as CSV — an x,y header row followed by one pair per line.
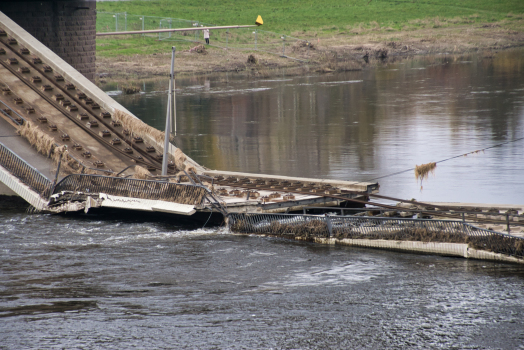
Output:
x,y
342,33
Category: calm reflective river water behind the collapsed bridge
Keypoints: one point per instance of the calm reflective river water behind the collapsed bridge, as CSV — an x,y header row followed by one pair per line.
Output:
x,y
362,125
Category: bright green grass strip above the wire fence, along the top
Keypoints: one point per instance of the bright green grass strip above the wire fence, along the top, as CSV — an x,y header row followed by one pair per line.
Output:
x,y
331,15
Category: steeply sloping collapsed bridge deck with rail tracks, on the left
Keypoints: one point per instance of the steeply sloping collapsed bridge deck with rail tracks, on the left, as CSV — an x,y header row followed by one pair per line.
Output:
x,y
70,147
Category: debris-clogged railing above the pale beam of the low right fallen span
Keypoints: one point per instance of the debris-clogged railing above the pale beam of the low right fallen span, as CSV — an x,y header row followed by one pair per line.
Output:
x,y
425,230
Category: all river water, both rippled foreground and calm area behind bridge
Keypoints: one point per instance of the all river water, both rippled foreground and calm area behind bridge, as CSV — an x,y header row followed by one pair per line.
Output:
x,y
117,282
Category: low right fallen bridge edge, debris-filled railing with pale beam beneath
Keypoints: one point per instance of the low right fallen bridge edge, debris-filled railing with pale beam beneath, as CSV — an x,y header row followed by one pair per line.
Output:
x,y
441,237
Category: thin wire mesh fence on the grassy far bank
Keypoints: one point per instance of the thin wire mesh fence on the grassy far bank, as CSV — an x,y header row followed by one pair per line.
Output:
x,y
253,39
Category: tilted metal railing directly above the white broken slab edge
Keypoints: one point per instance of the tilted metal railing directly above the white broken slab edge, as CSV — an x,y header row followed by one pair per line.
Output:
x,y
134,188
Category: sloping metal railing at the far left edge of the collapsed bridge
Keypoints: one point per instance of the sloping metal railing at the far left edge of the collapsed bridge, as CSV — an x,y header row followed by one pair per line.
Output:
x,y
24,172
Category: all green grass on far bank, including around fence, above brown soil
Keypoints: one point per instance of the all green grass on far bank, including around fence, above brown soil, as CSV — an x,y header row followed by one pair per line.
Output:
x,y
304,18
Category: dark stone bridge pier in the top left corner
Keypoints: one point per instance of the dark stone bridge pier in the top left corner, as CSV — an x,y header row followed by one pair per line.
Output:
x,y
67,27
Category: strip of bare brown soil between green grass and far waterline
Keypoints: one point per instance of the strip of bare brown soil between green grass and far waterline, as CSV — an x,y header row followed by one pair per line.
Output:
x,y
337,53
